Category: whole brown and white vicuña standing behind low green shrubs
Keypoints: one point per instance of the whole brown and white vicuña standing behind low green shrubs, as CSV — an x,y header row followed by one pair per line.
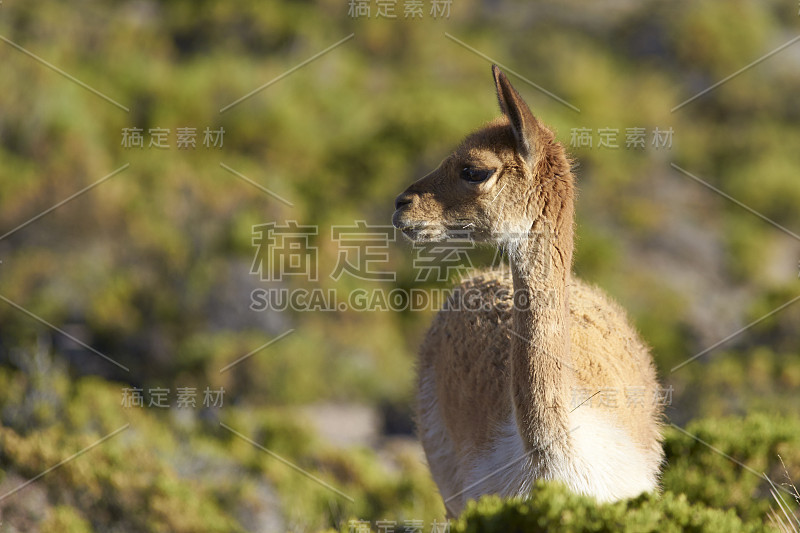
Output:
x,y
526,373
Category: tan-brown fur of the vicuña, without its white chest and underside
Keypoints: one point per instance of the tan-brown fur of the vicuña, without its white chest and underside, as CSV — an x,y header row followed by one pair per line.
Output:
x,y
507,361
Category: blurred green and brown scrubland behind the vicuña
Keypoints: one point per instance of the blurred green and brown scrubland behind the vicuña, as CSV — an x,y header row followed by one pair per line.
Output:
x,y
152,267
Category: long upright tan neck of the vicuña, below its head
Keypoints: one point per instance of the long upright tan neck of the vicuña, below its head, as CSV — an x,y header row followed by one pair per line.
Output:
x,y
541,360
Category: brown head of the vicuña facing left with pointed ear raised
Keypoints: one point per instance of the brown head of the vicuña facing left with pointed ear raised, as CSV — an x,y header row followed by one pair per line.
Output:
x,y
497,183
